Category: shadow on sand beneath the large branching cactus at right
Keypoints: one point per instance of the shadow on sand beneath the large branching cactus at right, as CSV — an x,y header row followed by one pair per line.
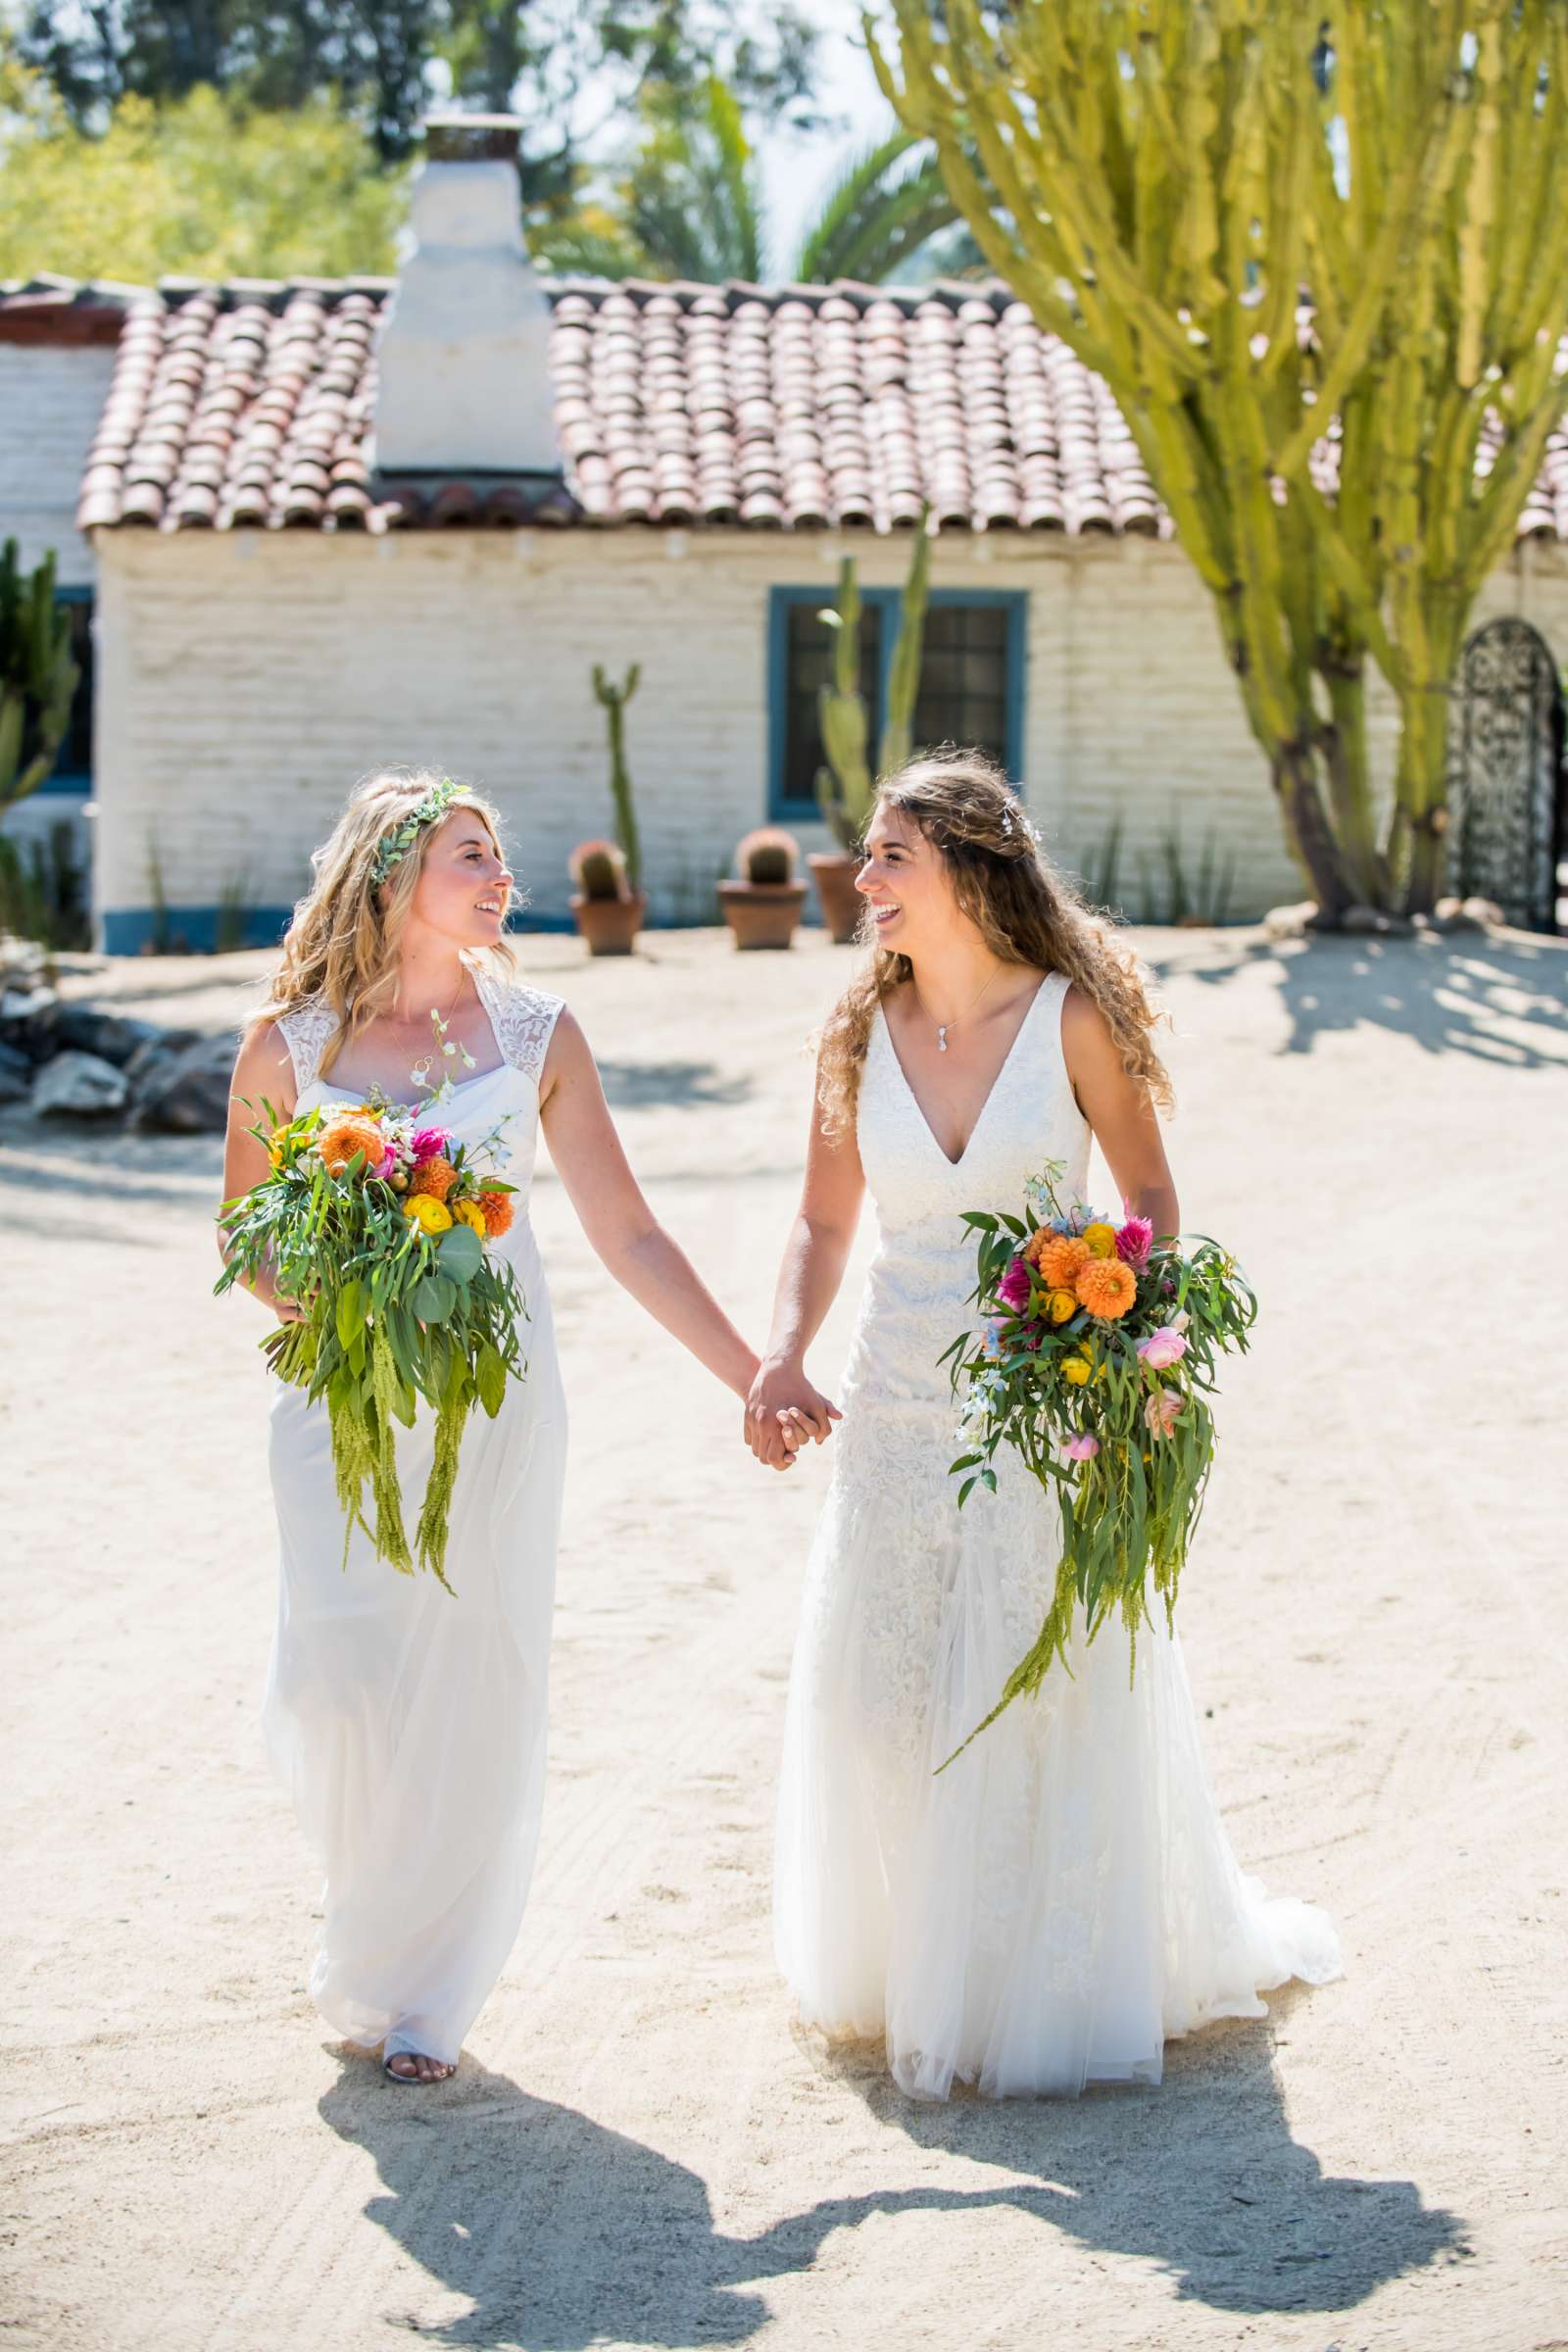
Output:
x,y
1499,998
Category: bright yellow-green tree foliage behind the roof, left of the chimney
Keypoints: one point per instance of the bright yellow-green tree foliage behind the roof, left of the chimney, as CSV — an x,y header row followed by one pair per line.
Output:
x,y
196,187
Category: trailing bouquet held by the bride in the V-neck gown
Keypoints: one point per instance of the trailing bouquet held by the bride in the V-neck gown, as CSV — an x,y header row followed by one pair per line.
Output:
x,y
1094,1363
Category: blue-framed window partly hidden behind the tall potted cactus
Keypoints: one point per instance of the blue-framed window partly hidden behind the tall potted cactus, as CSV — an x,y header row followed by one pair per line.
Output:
x,y
972,686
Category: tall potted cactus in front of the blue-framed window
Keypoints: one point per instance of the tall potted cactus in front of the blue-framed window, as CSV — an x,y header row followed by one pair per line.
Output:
x,y
845,784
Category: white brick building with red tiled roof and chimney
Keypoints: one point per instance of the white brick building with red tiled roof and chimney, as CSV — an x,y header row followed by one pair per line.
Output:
x,y
307,559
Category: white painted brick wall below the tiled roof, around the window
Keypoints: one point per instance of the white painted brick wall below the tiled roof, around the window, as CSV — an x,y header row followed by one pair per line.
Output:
x,y
248,679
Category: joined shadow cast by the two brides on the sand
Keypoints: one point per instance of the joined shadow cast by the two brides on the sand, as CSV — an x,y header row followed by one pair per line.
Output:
x,y
568,2236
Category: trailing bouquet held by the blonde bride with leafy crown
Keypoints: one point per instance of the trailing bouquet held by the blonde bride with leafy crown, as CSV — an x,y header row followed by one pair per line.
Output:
x,y
377,1222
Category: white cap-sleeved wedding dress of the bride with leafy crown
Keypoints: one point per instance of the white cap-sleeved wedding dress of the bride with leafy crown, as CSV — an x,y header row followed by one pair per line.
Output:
x,y
408,1723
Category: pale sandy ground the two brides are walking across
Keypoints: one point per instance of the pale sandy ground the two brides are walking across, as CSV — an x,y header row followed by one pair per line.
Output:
x,y
641,2149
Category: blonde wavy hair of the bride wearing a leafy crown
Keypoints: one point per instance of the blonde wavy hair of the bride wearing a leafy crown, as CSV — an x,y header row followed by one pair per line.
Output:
x,y
347,933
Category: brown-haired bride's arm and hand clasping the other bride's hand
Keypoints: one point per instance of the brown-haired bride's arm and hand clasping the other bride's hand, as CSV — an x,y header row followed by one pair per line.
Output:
x,y
808,1285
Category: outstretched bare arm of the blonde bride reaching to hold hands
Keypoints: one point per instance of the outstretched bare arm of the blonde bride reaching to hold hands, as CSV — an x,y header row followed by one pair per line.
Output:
x,y
617,1220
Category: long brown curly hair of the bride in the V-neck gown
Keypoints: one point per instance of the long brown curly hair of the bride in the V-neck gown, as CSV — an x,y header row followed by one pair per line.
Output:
x,y
1024,907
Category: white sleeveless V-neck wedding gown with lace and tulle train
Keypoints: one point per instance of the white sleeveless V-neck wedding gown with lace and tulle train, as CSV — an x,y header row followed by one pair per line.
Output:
x,y
1064,1897
